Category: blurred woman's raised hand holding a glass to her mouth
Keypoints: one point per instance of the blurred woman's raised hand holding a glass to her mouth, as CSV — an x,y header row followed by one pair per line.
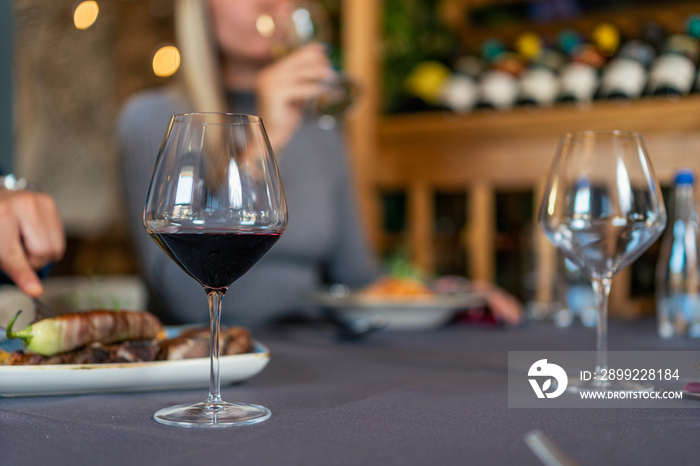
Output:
x,y
283,87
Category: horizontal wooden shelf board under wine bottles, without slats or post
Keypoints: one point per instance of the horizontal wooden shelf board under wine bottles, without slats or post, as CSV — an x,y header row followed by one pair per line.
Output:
x,y
515,148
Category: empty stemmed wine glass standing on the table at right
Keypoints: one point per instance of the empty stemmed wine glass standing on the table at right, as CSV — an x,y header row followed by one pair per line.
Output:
x,y
603,208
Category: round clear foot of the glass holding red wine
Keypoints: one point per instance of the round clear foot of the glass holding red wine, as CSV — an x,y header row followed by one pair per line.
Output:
x,y
208,415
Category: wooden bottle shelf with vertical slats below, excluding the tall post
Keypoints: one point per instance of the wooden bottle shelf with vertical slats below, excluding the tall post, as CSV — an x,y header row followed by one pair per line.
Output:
x,y
483,153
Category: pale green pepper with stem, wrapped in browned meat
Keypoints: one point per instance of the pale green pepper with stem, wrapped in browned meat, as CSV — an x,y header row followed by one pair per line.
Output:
x,y
70,331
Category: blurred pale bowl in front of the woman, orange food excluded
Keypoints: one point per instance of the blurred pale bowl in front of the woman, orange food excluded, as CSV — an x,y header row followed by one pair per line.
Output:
x,y
400,314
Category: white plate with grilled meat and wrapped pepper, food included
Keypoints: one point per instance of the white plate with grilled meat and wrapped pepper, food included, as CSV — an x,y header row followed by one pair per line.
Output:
x,y
104,351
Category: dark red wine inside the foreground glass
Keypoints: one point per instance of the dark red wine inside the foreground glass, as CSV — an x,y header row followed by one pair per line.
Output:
x,y
215,260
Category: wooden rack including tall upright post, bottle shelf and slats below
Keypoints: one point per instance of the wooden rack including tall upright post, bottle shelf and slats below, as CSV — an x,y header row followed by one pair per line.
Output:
x,y
484,152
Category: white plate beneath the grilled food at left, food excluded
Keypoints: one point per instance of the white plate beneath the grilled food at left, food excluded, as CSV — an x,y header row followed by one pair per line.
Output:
x,y
73,379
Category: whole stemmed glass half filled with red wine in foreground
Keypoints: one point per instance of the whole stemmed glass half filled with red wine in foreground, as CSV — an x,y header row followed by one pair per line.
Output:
x,y
215,205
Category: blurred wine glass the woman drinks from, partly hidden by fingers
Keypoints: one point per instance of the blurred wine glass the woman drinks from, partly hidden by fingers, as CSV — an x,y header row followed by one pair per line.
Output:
x,y
299,22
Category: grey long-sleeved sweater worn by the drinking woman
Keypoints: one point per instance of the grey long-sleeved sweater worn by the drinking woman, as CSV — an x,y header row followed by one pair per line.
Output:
x,y
323,239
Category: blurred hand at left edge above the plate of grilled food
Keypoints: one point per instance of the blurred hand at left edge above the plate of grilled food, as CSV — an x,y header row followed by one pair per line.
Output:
x,y
31,236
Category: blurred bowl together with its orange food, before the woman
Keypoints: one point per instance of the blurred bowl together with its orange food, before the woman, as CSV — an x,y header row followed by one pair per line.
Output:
x,y
404,303
